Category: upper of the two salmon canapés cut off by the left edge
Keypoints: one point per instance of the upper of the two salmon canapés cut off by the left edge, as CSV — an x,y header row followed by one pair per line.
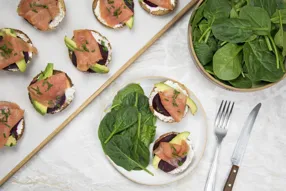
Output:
x,y
16,50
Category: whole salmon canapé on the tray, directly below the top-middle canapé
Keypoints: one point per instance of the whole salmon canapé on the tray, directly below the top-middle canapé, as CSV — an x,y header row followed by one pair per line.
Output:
x,y
89,51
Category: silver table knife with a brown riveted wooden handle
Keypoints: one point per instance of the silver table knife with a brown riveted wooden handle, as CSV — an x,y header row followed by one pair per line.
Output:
x,y
241,147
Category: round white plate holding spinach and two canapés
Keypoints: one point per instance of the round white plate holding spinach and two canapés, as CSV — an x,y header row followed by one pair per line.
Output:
x,y
196,125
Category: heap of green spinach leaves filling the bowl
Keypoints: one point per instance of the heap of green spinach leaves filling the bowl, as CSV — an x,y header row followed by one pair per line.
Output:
x,y
242,43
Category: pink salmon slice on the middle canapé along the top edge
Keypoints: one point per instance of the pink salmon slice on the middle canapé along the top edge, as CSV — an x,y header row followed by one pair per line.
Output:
x,y
115,12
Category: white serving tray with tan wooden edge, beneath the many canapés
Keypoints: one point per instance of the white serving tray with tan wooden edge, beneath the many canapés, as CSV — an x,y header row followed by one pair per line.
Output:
x,y
127,46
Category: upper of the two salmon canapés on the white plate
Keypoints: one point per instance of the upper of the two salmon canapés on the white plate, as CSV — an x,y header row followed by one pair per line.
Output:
x,y
170,101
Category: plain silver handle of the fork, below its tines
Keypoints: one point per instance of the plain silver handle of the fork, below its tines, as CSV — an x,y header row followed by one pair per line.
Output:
x,y
210,185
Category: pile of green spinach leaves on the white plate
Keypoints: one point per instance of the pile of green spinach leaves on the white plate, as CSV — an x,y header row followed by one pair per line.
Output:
x,y
127,131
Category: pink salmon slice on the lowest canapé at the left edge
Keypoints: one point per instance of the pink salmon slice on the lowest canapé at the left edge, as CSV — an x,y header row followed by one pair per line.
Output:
x,y
8,119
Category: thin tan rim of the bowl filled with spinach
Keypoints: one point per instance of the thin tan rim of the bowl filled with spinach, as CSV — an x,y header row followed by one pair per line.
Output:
x,y
210,77
